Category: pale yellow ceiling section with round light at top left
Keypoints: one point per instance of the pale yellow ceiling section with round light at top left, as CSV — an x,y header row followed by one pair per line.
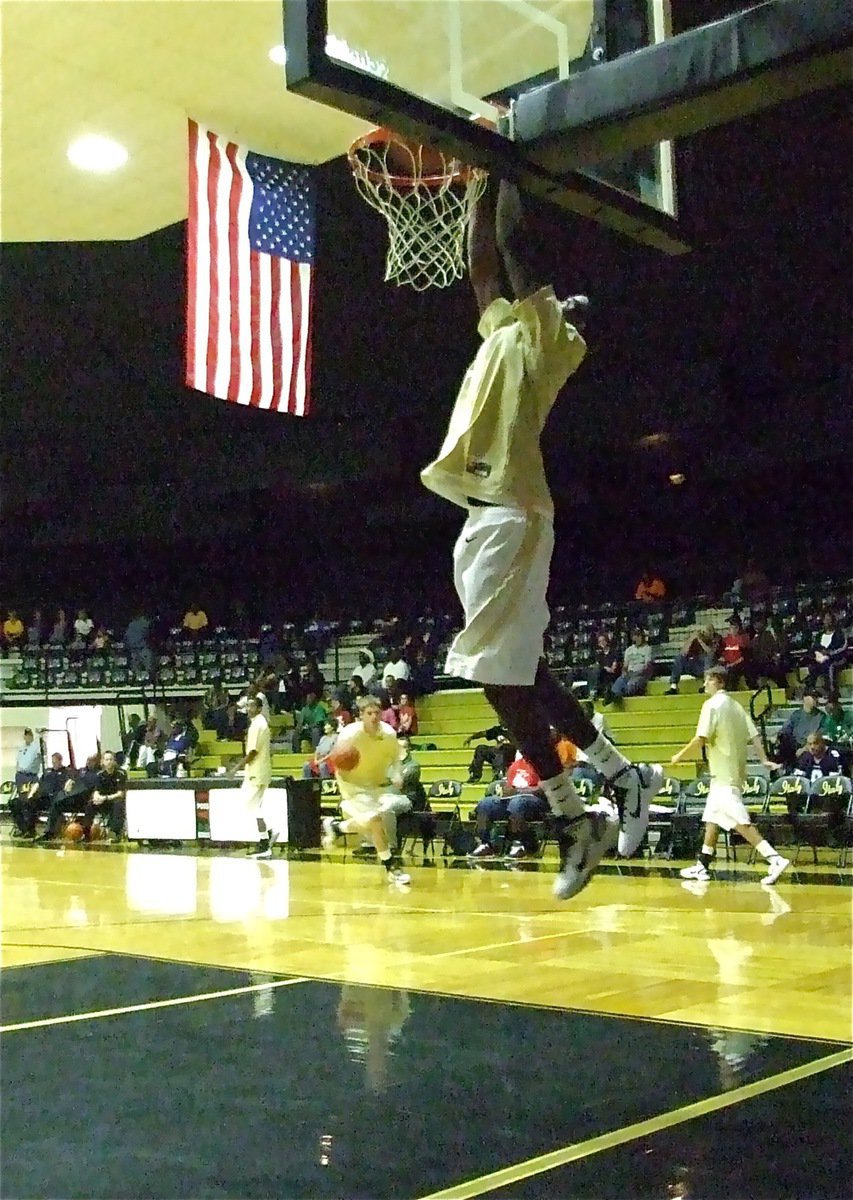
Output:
x,y
135,70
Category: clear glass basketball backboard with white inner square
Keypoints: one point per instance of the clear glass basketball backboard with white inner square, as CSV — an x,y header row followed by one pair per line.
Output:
x,y
454,61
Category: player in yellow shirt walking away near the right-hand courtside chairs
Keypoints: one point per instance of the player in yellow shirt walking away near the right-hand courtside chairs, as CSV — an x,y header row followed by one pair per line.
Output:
x,y
726,730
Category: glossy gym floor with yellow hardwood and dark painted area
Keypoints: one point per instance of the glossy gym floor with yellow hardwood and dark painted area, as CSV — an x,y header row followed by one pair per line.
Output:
x,y
211,1027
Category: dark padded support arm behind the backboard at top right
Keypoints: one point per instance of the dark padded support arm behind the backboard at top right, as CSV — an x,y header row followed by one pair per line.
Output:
x,y
710,76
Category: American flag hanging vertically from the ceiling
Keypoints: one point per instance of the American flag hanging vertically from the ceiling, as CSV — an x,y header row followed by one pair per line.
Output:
x,y
250,266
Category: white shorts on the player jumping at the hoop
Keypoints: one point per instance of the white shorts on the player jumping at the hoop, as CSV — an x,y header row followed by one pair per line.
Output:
x,y
502,562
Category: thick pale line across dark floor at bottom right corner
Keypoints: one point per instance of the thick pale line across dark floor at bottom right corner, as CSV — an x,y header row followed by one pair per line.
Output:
x,y
556,1159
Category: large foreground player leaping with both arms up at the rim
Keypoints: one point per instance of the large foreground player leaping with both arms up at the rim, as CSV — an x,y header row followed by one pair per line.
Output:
x,y
491,465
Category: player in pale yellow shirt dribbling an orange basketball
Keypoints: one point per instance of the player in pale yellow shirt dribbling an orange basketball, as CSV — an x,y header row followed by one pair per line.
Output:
x,y
367,758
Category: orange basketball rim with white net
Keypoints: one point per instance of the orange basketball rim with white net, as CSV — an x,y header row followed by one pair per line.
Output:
x,y
425,197
